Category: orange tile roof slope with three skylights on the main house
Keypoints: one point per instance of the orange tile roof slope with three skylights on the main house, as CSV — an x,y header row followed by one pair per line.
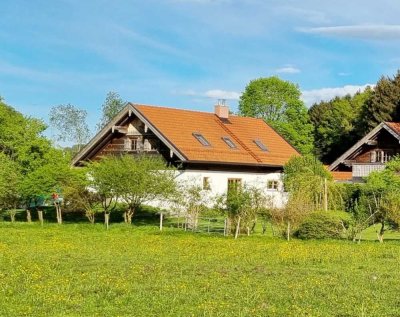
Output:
x,y
179,125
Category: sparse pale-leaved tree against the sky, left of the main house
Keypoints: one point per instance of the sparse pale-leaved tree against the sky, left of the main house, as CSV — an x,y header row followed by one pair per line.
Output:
x,y
70,124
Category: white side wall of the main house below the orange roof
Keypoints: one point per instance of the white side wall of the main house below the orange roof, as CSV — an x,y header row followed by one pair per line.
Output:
x,y
219,182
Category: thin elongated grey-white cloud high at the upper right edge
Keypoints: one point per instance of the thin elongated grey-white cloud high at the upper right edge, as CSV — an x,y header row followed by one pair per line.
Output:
x,y
367,32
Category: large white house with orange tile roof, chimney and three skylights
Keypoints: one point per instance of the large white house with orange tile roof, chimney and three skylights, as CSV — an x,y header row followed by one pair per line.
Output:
x,y
216,150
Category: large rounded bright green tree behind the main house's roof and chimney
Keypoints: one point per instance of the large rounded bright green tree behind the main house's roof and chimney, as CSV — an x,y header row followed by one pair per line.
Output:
x,y
278,103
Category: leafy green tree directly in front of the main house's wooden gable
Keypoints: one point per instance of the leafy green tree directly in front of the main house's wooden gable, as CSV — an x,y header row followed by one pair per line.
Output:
x,y
134,179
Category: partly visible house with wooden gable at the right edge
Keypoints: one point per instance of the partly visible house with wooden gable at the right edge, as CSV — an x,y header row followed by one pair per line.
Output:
x,y
369,154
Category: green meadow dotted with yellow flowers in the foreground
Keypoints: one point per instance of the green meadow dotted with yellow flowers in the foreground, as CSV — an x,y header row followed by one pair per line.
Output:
x,y
83,270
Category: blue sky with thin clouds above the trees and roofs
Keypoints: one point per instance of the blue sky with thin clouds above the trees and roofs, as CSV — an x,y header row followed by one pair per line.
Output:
x,y
189,53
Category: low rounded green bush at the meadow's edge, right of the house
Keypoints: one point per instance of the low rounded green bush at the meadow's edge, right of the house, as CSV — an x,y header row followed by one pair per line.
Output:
x,y
325,225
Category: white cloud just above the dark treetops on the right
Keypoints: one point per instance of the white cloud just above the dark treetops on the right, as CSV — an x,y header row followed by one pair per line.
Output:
x,y
324,94
